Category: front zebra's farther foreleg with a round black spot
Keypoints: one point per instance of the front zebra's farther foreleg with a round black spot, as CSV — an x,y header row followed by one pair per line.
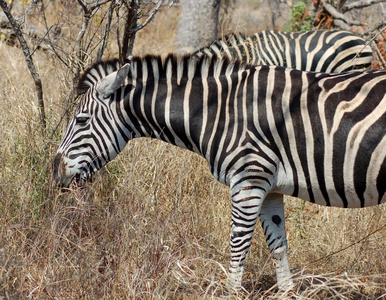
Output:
x,y
273,223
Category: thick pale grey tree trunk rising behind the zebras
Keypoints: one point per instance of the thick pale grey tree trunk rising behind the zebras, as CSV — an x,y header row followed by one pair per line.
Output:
x,y
197,24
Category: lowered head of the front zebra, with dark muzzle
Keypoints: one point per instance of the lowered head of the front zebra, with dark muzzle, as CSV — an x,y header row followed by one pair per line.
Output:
x,y
95,134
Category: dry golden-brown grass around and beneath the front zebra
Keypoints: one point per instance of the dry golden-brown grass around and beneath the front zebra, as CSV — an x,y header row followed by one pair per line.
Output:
x,y
154,224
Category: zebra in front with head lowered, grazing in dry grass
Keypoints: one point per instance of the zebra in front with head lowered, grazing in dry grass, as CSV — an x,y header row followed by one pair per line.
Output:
x,y
265,131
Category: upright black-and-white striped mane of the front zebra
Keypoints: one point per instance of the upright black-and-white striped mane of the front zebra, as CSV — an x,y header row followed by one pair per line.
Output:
x,y
171,66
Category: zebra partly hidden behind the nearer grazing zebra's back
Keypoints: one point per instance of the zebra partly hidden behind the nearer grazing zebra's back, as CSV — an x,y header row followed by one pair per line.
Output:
x,y
320,50
